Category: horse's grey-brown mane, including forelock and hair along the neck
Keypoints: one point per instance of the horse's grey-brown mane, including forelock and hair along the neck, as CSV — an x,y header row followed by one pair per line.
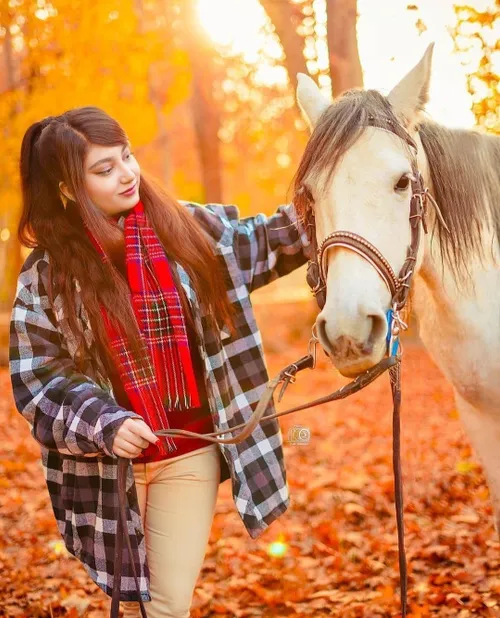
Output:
x,y
464,167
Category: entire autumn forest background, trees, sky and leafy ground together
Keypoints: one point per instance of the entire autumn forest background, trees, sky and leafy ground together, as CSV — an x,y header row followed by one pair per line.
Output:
x,y
205,91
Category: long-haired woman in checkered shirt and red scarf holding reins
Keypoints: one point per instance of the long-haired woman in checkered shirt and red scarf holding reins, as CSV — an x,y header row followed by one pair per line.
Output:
x,y
111,340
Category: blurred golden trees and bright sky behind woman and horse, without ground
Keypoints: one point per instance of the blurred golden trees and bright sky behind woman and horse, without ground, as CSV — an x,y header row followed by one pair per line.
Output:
x,y
205,88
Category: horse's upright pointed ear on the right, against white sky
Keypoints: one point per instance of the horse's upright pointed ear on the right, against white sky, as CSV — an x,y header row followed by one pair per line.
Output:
x,y
410,96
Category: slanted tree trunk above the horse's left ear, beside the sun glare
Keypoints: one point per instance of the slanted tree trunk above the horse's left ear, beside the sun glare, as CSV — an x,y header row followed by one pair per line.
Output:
x,y
286,17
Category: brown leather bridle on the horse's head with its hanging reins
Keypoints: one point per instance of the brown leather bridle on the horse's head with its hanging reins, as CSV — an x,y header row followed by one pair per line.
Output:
x,y
399,287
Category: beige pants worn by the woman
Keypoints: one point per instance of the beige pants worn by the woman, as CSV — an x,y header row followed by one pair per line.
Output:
x,y
177,501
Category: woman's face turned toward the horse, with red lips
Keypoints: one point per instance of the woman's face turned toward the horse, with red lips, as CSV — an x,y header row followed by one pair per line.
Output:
x,y
112,177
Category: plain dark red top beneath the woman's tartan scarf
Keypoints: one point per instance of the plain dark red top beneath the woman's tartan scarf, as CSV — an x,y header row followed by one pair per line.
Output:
x,y
196,419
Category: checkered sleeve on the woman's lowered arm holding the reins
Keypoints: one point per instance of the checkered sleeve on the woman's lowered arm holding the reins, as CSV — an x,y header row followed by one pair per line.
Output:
x,y
66,410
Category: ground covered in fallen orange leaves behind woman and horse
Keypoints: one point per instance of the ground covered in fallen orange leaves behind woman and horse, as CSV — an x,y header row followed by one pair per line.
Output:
x,y
334,553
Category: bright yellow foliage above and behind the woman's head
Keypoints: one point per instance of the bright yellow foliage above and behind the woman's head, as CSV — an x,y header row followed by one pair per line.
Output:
x,y
83,52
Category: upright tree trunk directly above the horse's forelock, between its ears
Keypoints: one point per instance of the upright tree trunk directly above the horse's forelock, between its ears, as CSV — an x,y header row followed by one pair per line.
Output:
x,y
345,66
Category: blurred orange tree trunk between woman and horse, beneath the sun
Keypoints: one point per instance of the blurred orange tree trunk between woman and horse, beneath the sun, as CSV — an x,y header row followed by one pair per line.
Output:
x,y
205,109
